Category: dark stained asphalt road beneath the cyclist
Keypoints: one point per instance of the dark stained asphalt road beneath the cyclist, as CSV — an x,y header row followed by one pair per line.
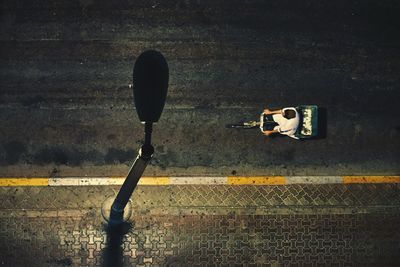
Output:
x,y
66,107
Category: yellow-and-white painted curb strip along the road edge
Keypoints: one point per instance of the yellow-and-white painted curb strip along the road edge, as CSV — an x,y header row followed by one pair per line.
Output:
x,y
198,180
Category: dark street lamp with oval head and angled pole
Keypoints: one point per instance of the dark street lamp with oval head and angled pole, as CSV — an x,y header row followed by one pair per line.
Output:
x,y
150,86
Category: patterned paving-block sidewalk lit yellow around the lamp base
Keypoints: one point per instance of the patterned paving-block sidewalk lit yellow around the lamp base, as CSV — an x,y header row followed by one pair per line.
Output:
x,y
292,225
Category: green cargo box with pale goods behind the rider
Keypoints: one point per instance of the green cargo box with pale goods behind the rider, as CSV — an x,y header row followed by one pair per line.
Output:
x,y
308,121
